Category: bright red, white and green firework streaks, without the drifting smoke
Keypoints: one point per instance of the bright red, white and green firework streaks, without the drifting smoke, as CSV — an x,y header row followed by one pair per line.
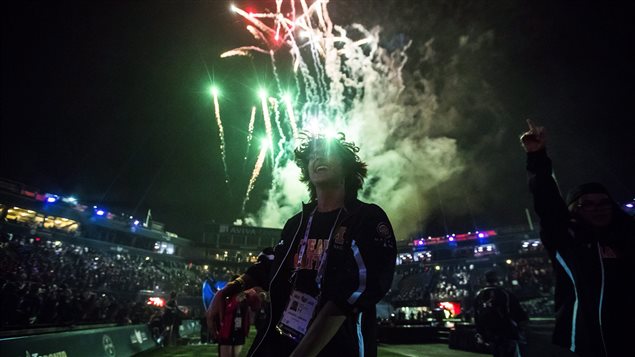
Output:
x,y
321,78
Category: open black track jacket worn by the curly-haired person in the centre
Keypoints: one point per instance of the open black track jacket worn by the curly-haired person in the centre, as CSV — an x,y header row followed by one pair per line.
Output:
x,y
359,271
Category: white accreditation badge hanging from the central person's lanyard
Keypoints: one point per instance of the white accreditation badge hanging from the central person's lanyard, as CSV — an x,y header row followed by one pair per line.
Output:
x,y
297,315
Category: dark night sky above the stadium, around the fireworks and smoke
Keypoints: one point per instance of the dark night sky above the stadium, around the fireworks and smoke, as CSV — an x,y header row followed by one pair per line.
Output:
x,y
109,102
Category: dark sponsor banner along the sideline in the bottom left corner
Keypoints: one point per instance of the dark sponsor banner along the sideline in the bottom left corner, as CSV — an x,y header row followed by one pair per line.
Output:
x,y
108,342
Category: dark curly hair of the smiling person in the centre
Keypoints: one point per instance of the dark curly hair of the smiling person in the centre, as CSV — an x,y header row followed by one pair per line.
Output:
x,y
355,169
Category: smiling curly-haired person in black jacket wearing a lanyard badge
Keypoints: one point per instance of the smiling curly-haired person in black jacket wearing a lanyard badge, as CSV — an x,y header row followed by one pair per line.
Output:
x,y
333,264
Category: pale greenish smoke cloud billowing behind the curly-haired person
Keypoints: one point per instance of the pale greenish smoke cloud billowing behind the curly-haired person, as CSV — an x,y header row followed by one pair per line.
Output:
x,y
388,118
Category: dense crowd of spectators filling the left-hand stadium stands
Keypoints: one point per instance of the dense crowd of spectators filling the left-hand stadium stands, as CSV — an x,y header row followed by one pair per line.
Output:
x,y
49,283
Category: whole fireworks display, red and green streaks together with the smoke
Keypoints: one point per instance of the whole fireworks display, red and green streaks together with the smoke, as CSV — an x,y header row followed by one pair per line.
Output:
x,y
344,82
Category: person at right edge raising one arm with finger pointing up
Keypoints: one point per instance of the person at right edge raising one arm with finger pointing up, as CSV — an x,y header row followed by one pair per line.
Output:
x,y
590,241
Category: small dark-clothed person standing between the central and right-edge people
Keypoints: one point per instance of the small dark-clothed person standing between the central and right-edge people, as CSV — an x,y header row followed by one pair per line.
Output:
x,y
499,318
